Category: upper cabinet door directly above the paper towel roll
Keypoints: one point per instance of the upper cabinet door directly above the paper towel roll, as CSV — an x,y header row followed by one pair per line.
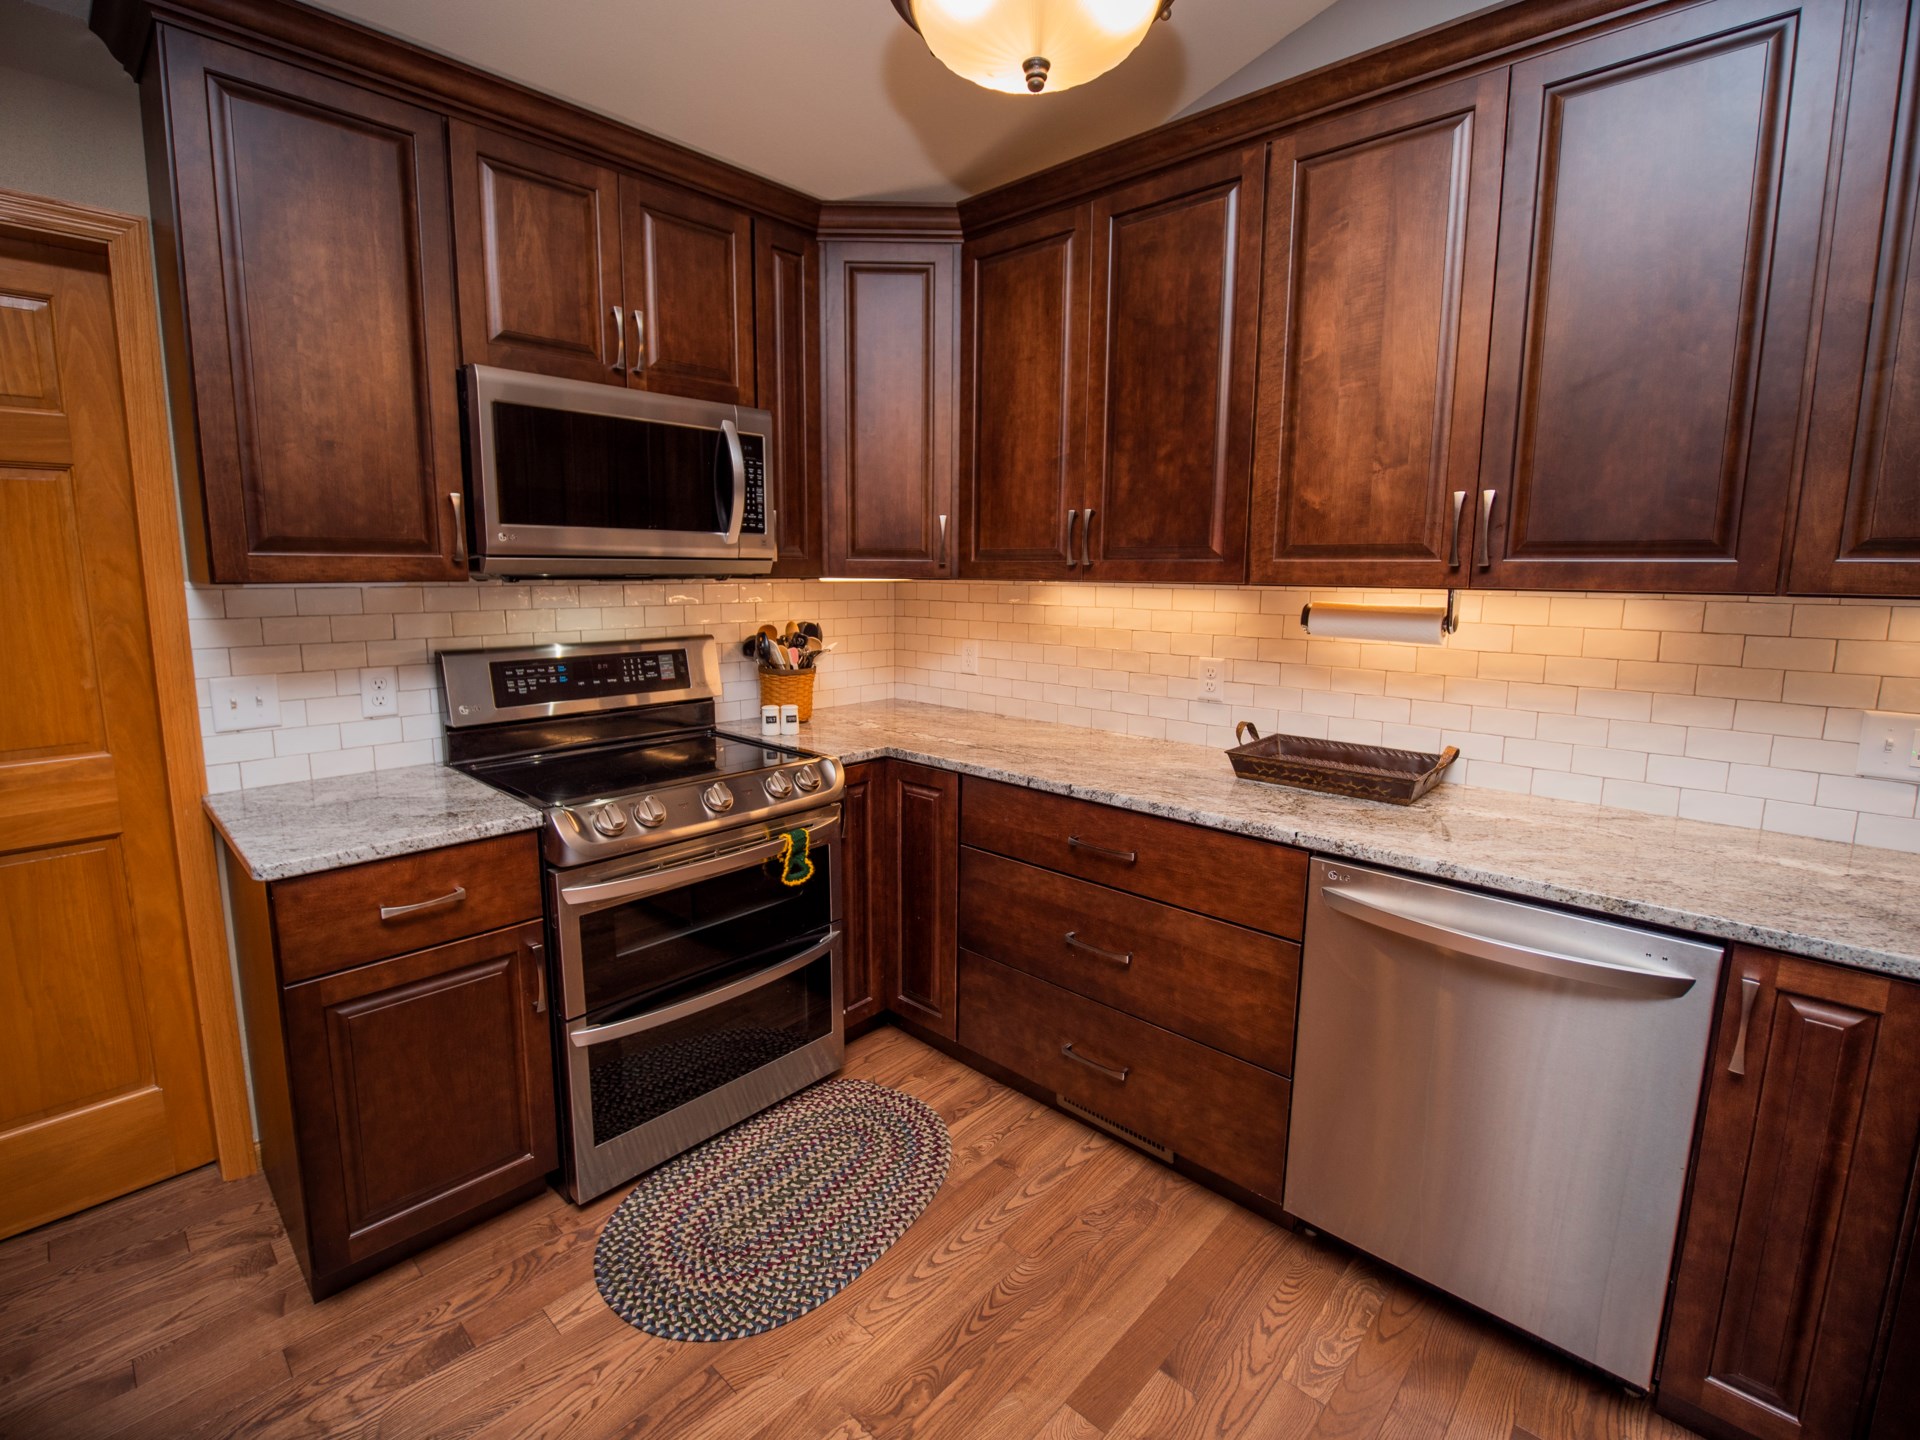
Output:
x,y
1380,285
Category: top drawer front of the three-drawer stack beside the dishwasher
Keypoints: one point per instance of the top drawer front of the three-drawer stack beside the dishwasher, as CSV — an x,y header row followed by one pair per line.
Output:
x,y
1230,876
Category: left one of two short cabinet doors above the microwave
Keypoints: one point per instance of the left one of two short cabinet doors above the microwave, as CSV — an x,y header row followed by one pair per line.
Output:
x,y
539,243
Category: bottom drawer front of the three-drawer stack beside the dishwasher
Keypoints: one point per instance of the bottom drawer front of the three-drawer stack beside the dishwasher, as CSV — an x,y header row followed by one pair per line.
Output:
x,y
1203,1105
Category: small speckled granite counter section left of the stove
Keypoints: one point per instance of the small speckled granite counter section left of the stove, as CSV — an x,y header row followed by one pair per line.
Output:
x,y
324,825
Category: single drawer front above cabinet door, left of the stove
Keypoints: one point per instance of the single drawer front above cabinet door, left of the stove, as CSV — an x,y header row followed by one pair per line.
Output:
x,y
333,921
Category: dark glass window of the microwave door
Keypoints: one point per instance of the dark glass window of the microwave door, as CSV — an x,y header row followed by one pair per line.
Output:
x,y
610,471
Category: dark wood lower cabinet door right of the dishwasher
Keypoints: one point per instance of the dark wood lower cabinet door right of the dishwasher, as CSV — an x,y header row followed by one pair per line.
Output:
x,y
1806,1159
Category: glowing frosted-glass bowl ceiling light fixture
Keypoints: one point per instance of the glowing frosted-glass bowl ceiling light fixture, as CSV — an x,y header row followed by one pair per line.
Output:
x,y
1032,45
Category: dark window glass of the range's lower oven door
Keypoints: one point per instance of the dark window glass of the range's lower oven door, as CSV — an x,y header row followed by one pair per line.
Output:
x,y
644,1076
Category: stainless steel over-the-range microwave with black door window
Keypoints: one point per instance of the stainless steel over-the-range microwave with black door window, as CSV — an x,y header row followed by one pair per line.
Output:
x,y
577,479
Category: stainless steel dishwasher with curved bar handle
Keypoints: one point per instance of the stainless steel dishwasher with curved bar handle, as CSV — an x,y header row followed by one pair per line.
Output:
x,y
1499,1099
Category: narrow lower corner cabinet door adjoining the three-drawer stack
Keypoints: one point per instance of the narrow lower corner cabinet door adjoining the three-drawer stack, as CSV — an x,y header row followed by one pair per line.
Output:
x,y
924,894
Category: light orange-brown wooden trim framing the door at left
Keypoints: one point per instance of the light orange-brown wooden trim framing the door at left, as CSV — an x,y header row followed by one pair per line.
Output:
x,y
128,249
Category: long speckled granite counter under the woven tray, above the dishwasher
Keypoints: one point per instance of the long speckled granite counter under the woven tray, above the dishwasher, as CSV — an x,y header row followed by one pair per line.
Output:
x,y
1819,900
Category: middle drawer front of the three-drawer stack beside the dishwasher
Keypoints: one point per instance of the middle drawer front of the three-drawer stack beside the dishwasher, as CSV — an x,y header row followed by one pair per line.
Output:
x,y
1207,980
